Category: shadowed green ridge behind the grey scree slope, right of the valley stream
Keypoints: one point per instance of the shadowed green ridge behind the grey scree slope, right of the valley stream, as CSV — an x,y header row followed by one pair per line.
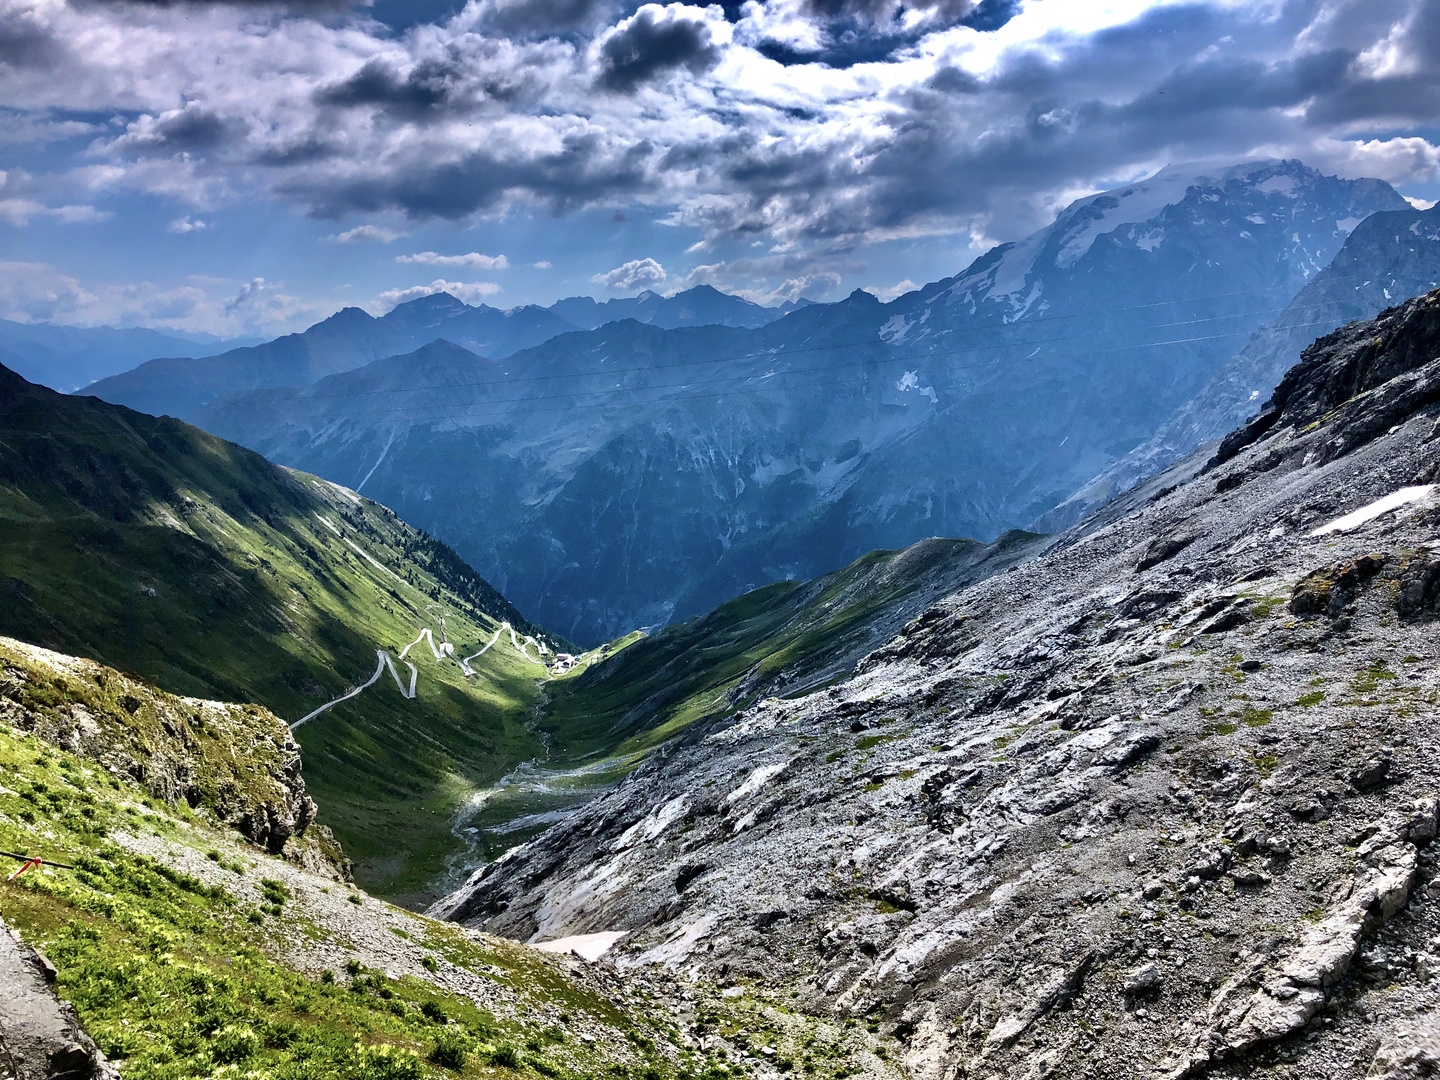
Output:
x,y
643,693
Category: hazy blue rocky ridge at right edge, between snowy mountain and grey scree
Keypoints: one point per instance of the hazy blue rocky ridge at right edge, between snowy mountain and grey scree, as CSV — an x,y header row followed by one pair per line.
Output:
x,y
1390,256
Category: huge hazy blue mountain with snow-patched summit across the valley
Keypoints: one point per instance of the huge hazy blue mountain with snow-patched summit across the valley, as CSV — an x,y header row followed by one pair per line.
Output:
x,y
634,476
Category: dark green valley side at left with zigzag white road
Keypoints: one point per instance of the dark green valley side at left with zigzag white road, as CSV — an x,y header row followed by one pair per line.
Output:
x,y
208,571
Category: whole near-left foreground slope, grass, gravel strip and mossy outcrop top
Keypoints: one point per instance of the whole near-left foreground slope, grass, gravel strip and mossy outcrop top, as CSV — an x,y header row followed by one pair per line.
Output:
x,y
191,955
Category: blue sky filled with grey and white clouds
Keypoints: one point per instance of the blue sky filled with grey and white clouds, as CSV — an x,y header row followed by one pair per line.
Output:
x,y
247,169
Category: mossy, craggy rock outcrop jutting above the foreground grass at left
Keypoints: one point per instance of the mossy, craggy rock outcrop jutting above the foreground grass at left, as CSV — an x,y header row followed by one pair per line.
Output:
x,y
238,762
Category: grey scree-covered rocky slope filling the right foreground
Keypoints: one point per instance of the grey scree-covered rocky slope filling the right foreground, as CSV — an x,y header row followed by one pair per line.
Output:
x,y
1160,801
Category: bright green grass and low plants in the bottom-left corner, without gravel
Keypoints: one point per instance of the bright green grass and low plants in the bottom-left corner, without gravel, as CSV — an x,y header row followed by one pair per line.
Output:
x,y
176,980
